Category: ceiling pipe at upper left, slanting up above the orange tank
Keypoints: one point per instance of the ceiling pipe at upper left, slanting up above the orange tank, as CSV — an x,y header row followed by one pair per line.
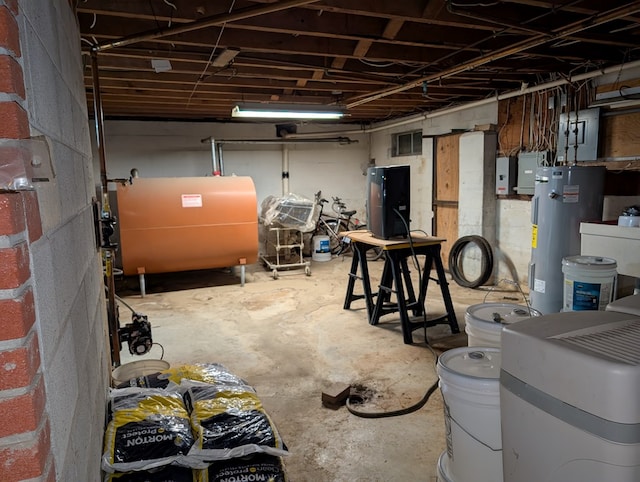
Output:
x,y
203,23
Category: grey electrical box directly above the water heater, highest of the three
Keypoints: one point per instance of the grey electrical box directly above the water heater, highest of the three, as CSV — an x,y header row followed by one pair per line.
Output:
x,y
578,136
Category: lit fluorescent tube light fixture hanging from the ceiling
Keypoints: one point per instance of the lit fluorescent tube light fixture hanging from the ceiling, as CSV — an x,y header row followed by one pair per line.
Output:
x,y
286,111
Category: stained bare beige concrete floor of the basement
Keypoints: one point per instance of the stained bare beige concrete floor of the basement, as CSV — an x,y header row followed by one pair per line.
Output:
x,y
291,338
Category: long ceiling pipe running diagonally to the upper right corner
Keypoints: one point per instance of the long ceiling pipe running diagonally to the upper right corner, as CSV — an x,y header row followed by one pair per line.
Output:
x,y
571,29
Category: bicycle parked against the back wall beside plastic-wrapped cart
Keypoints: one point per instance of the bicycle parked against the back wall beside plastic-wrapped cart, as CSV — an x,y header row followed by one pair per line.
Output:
x,y
334,226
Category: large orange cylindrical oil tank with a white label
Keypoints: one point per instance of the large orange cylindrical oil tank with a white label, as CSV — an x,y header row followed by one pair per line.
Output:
x,y
187,223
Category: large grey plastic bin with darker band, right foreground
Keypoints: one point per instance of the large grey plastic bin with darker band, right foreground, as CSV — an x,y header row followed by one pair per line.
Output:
x,y
570,398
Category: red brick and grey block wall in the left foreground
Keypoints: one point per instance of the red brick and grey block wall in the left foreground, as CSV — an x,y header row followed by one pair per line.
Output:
x,y
54,360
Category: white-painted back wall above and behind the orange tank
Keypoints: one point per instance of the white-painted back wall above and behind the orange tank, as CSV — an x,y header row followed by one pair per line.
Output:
x,y
174,149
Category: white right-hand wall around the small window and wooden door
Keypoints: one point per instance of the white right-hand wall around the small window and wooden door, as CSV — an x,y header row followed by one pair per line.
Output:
x,y
505,224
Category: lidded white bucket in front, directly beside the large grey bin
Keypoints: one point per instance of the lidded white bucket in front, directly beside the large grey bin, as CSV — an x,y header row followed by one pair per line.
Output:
x,y
470,386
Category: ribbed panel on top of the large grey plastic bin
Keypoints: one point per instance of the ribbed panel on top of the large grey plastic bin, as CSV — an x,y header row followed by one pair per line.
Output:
x,y
620,343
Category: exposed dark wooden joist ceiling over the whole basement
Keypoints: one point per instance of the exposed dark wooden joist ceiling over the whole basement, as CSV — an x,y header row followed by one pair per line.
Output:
x,y
382,59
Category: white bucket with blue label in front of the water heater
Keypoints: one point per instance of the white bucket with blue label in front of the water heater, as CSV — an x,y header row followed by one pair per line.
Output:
x,y
589,282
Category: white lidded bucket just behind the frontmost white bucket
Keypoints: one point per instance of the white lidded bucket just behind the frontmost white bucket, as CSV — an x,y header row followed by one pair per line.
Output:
x,y
484,322
